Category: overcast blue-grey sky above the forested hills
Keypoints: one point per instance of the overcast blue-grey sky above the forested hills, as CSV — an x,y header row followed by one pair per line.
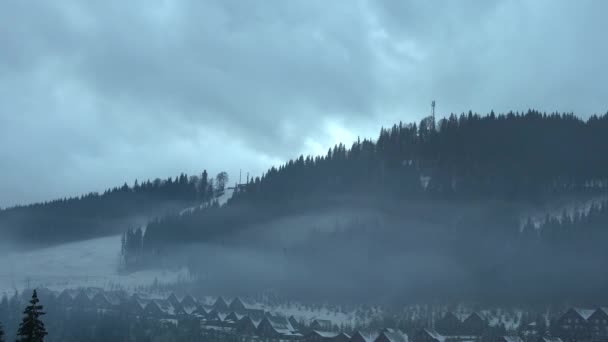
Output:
x,y
96,93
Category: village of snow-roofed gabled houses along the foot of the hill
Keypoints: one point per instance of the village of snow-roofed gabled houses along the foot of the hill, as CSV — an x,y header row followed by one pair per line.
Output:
x,y
240,319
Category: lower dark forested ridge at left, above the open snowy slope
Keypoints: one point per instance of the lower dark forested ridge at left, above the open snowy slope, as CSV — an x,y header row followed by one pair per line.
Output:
x,y
95,214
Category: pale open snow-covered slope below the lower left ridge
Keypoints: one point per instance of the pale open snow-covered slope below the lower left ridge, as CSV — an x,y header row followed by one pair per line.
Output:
x,y
90,263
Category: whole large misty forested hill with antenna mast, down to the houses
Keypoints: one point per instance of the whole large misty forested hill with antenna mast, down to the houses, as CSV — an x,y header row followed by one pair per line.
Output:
x,y
435,210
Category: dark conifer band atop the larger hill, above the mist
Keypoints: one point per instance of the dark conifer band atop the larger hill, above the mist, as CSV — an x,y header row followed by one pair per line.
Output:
x,y
513,157
